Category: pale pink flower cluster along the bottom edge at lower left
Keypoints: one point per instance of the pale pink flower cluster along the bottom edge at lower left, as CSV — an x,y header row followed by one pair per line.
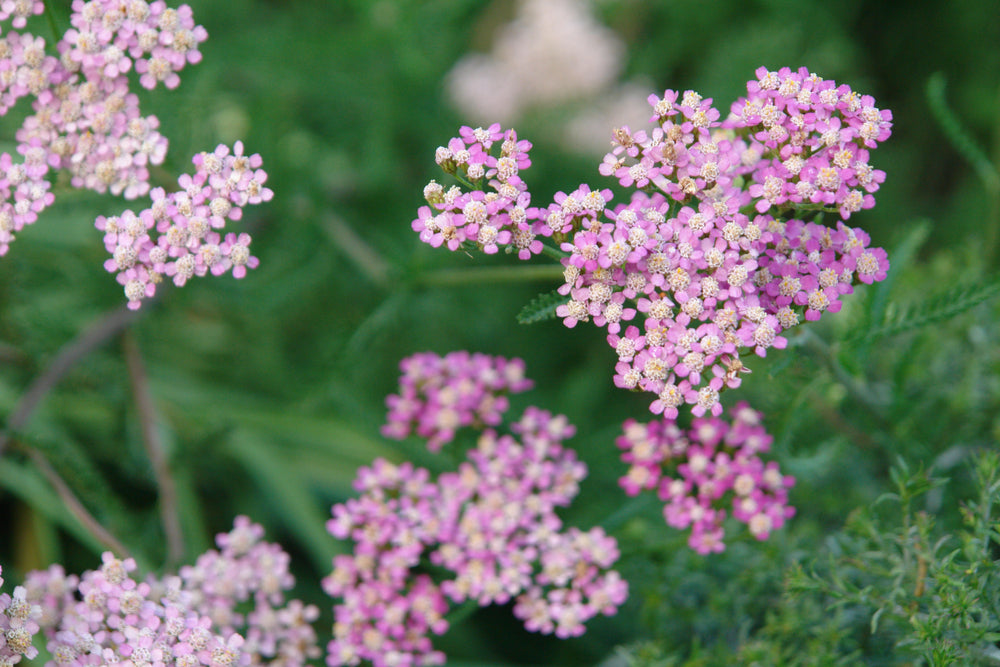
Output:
x,y
106,616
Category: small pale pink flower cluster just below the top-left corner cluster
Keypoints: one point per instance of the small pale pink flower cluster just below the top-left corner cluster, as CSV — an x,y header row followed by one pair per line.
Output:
x,y
187,225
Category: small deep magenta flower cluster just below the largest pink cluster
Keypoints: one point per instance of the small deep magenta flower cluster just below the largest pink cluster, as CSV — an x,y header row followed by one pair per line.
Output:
x,y
696,472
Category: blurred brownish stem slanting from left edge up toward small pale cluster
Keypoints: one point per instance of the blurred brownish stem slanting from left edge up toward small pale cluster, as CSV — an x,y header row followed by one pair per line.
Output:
x,y
105,328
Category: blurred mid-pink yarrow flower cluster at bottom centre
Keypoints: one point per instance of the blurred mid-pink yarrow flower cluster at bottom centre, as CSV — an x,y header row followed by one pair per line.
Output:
x,y
487,532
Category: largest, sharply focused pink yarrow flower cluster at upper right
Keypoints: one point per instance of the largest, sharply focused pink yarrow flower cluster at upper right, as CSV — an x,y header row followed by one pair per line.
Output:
x,y
720,248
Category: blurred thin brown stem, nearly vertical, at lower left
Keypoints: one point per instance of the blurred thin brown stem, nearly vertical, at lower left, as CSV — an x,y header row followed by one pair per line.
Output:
x,y
169,514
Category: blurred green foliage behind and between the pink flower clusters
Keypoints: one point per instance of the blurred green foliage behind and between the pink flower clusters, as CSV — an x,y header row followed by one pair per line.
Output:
x,y
269,391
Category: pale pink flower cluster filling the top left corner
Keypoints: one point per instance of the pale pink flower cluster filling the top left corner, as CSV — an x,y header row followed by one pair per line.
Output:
x,y
85,120
